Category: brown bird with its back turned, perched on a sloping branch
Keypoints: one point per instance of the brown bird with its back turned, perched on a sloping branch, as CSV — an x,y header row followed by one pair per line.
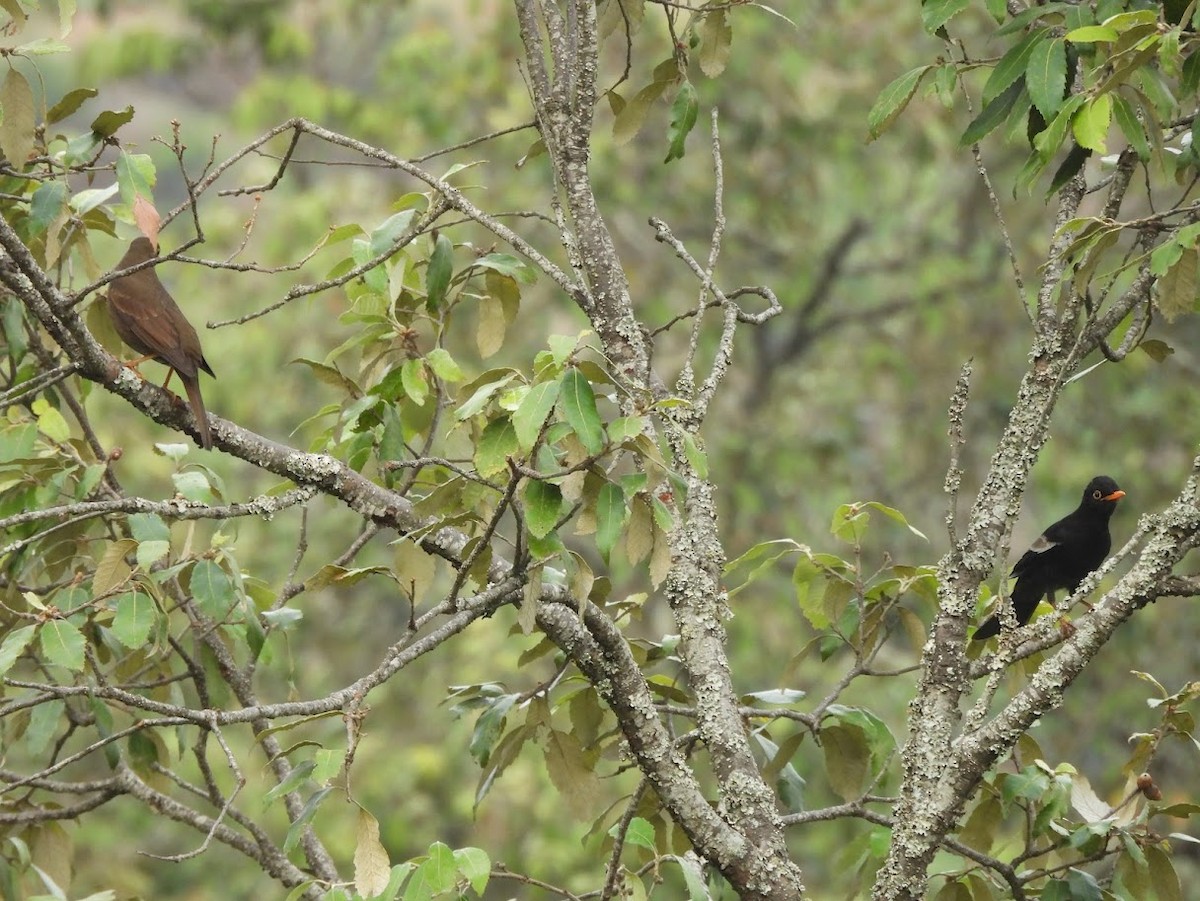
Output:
x,y
149,321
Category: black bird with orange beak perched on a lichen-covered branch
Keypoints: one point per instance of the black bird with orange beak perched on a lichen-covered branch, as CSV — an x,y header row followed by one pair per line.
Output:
x,y
1064,555
